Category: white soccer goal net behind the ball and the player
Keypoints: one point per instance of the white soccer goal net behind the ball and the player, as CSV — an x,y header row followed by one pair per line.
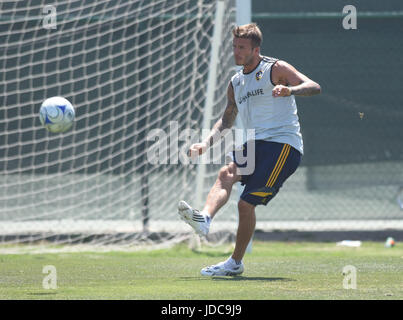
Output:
x,y
137,73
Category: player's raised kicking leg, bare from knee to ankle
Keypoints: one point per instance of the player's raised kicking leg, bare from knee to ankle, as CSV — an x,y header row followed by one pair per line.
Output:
x,y
220,192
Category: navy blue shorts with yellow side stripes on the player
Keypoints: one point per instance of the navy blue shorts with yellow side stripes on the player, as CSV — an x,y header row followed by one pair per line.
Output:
x,y
274,163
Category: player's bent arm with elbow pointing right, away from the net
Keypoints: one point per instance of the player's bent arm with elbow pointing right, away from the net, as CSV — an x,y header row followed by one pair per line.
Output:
x,y
289,81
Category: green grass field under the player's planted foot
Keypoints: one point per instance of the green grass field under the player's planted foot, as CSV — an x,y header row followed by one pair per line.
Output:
x,y
273,270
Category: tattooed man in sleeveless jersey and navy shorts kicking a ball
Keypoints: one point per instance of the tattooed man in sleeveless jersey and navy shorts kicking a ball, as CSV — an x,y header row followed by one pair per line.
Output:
x,y
263,95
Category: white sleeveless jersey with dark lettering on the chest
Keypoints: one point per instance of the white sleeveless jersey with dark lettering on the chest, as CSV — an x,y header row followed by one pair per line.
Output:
x,y
274,119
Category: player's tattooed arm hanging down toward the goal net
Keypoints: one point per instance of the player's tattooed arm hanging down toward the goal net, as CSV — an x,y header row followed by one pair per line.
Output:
x,y
225,122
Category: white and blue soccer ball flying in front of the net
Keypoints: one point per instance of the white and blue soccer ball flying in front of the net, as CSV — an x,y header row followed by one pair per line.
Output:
x,y
57,114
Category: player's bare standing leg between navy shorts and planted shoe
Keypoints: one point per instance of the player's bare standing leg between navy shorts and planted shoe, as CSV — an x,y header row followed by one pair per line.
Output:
x,y
246,227
